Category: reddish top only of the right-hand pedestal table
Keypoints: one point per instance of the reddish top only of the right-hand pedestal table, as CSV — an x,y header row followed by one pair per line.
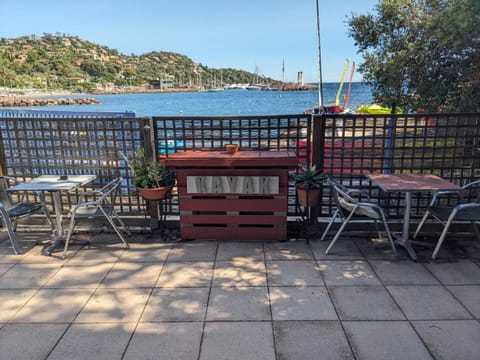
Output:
x,y
411,182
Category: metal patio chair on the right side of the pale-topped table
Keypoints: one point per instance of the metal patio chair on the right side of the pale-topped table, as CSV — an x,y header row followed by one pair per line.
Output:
x,y
101,205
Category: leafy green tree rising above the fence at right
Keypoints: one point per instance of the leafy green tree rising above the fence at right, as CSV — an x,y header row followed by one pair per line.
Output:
x,y
422,53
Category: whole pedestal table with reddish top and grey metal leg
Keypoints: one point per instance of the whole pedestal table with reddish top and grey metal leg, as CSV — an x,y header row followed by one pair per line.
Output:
x,y
409,183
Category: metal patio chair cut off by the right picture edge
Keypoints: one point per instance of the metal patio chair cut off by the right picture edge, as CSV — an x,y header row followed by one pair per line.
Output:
x,y
461,212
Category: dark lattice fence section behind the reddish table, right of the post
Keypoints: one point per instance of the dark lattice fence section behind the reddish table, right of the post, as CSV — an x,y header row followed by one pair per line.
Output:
x,y
447,145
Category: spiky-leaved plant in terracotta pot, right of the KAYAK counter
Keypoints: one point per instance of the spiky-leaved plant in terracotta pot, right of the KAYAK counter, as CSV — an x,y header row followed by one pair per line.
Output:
x,y
308,182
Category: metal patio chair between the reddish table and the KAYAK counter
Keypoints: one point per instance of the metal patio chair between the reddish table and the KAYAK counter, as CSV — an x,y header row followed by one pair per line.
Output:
x,y
349,206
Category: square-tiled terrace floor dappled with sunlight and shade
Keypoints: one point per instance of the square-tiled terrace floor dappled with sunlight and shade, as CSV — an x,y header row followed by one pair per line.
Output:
x,y
238,300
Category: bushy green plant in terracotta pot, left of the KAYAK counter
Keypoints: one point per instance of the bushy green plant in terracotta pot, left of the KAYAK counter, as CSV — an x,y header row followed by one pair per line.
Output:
x,y
154,180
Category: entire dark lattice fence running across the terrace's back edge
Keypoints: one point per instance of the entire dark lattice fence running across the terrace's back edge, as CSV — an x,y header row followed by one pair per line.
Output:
x,y
344,146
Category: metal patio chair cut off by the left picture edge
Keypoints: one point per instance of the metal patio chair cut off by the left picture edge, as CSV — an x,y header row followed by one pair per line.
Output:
x,y
11,211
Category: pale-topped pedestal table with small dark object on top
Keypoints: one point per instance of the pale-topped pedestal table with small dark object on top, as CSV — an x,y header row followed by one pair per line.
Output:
x,y
55,185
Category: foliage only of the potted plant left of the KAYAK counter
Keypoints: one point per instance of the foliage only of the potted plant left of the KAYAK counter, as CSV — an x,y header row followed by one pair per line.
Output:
x,y
148,173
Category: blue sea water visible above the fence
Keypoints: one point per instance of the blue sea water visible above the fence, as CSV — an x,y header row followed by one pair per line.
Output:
x,y
222,103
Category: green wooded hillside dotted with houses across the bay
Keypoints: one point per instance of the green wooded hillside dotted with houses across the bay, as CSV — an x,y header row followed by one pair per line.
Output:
x,y
60,62
